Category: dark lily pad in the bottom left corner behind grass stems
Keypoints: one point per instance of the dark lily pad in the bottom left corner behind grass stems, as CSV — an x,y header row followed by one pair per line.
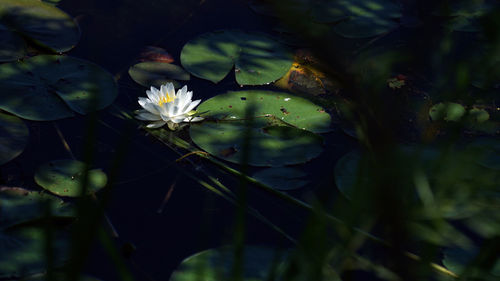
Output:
x,y
22,251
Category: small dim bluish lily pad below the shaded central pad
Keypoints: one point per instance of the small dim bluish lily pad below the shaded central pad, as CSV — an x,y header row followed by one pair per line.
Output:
x,y
282,178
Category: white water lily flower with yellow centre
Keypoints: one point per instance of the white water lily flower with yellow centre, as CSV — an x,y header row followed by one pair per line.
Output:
x,y
164,106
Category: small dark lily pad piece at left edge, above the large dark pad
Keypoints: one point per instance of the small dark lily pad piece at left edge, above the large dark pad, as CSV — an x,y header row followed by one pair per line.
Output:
x,y
12,45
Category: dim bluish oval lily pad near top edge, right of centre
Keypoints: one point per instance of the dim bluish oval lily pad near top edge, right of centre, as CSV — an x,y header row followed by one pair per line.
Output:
x,y
362,27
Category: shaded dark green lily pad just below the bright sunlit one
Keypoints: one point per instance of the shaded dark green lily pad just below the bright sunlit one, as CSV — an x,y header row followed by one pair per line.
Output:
x,y
268,145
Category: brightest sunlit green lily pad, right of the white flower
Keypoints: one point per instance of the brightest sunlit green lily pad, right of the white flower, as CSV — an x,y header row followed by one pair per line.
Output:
x,y
277,106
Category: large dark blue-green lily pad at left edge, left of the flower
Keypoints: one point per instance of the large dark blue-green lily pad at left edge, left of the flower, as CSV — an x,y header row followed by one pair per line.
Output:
x,y
54,87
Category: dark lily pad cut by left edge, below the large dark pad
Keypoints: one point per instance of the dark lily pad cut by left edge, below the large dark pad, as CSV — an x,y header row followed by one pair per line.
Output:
x,y
13,137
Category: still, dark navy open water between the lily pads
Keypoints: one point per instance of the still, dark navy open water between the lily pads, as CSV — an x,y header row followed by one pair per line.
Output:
x,y
113,34
